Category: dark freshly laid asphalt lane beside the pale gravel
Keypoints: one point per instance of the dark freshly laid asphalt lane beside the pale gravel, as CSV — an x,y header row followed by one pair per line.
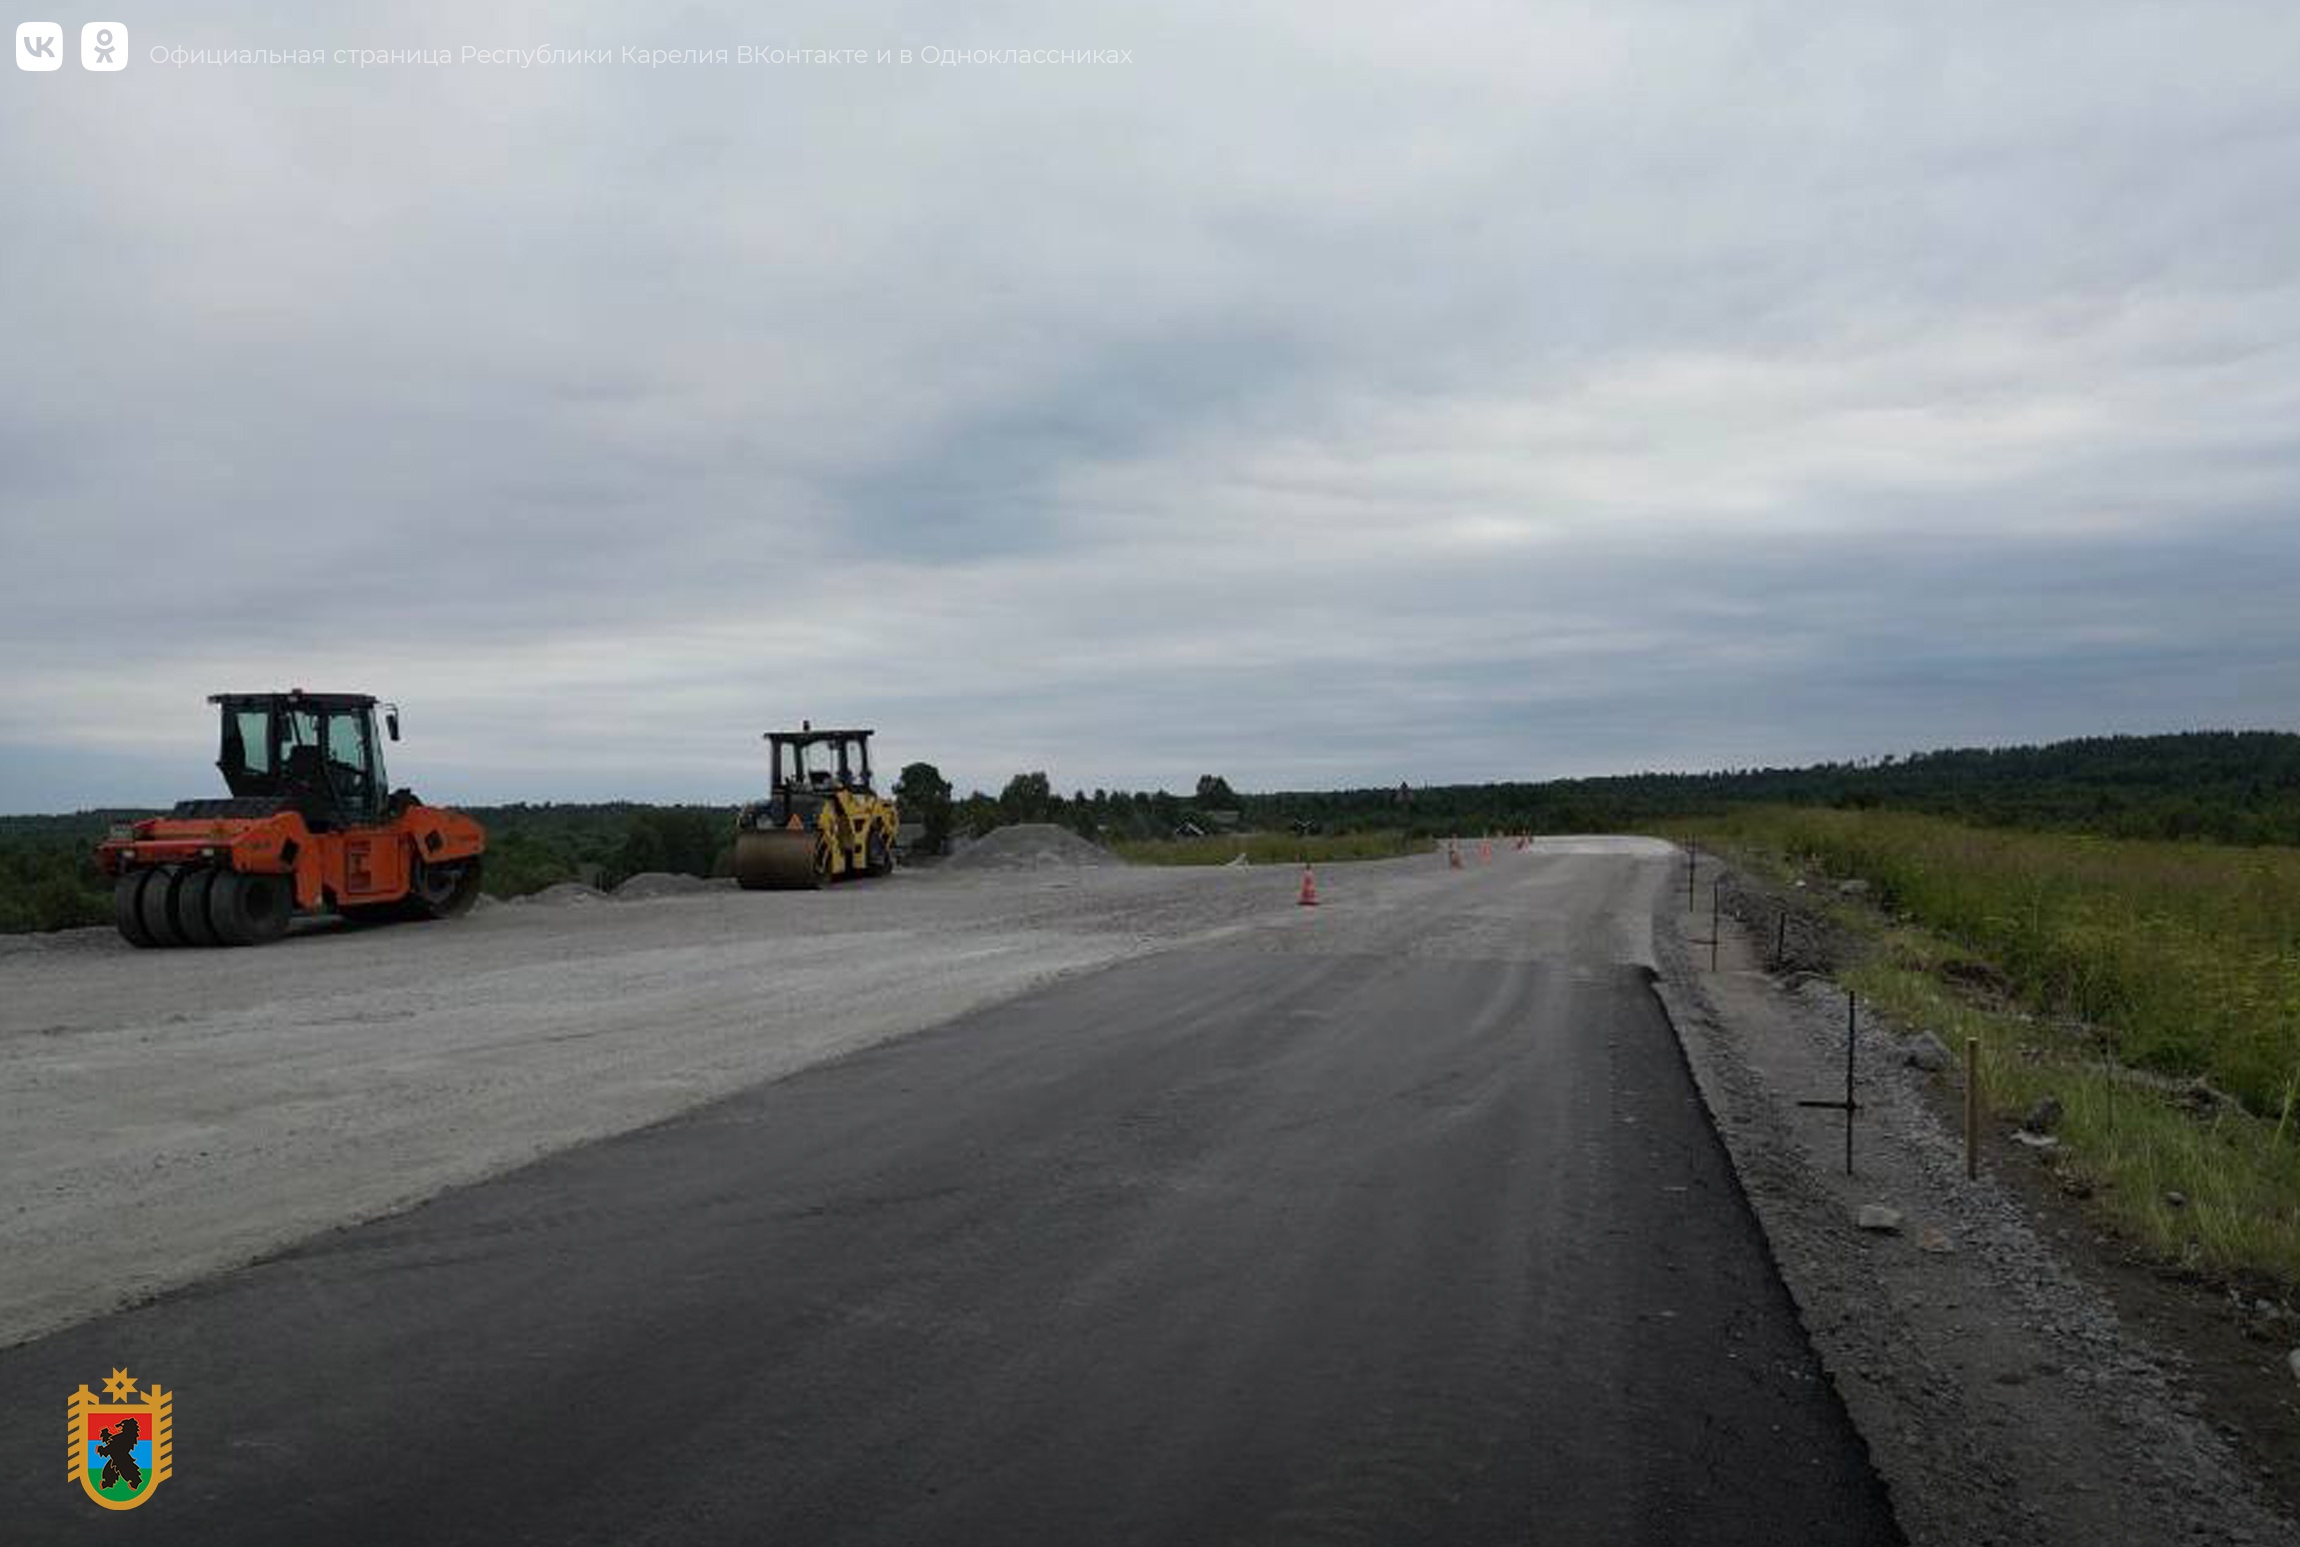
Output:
x,y
1287,1240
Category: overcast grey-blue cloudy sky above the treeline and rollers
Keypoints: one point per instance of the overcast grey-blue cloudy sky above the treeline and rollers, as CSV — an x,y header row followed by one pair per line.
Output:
x,y
1333,394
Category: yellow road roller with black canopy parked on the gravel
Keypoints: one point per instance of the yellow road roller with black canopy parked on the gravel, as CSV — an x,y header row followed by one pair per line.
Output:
x,y
822,824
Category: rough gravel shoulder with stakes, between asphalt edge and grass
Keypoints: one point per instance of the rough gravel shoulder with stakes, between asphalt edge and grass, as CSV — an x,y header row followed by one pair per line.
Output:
x,y
2000,1396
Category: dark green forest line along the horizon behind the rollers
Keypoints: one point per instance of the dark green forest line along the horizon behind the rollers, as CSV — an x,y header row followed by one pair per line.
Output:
x,y
2230,787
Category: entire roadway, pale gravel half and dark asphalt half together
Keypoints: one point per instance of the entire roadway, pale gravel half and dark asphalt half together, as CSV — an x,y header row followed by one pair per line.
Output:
x,y
1383,1222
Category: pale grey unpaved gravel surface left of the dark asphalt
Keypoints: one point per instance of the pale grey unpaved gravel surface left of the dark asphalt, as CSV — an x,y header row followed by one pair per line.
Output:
x,y
174,1114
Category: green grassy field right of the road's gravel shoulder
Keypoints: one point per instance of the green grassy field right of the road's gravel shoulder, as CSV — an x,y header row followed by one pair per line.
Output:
x,y
2080,962
